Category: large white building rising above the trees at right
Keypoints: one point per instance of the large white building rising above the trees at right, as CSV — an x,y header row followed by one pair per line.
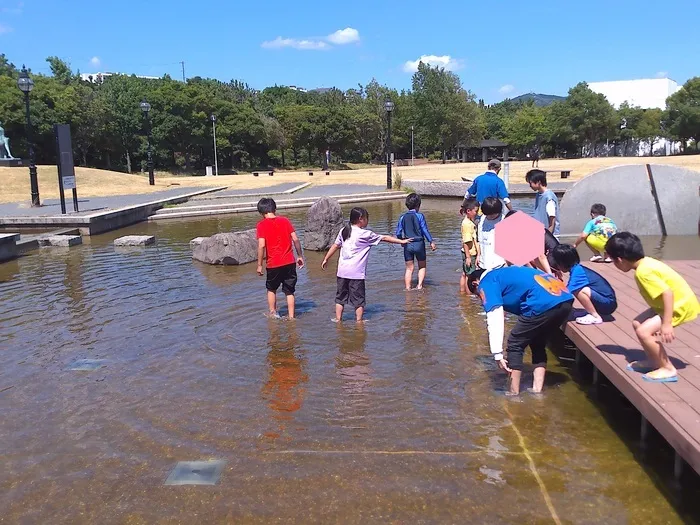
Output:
x,y
646,93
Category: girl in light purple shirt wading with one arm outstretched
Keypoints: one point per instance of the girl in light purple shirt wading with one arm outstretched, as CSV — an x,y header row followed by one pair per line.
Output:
x,y
354,242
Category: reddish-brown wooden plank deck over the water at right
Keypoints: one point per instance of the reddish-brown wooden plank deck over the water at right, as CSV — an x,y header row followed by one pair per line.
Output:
x,y
672,408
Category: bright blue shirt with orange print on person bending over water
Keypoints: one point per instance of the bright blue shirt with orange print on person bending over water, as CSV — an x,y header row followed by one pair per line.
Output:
x,y
522,291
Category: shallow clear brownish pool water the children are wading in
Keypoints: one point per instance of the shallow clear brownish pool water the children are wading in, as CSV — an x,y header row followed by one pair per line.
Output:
x,y
400,420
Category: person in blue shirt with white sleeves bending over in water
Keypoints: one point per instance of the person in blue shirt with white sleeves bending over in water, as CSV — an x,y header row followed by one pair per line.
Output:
x,y
542,304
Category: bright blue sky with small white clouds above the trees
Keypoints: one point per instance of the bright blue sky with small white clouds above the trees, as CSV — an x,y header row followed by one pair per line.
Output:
x,y
498,48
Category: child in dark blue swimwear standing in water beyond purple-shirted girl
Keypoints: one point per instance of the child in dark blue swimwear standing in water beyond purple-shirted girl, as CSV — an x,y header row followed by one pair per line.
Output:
x,y
412,225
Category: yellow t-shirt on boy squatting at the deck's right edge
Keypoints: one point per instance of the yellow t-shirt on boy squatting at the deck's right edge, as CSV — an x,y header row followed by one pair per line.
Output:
x,y
654,277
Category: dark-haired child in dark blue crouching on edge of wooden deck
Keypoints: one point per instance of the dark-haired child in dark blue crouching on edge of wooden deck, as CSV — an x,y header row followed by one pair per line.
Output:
x,y
591,289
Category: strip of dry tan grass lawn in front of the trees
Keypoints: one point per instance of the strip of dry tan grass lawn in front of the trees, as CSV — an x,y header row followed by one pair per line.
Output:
x,y
14,182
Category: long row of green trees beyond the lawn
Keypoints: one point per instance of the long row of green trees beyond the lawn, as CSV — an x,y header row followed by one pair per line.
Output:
x,y
286,127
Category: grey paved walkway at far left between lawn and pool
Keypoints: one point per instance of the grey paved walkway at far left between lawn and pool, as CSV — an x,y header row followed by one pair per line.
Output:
x,y
90,205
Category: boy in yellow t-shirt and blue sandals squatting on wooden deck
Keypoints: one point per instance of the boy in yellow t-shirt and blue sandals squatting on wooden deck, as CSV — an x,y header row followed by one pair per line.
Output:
x,y
672,303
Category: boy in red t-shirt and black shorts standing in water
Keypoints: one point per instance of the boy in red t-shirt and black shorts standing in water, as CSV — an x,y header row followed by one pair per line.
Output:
x,y
275,236
